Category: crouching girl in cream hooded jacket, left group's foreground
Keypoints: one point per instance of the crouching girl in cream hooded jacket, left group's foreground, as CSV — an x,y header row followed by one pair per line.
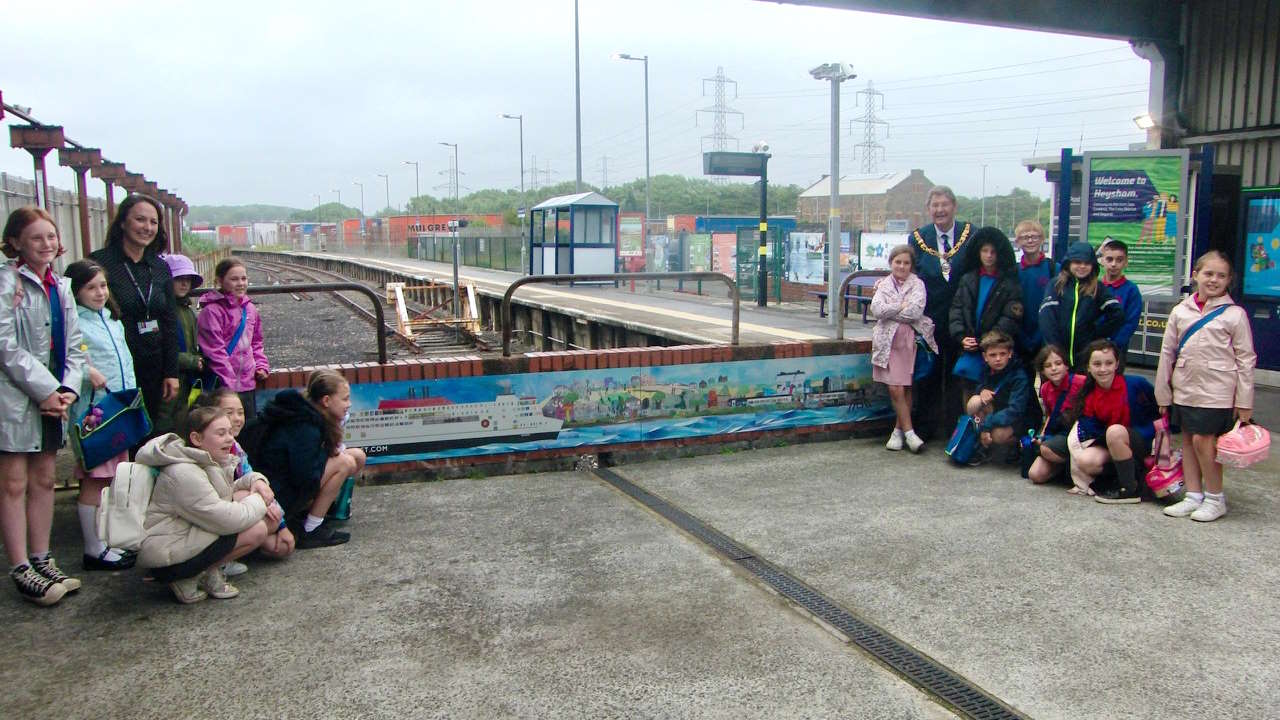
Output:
x,y
195,523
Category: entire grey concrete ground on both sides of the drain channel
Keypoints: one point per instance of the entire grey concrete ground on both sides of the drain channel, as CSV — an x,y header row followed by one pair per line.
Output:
x,y
557,596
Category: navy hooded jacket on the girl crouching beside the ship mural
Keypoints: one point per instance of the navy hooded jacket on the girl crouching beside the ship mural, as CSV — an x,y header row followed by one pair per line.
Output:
x,y
286,443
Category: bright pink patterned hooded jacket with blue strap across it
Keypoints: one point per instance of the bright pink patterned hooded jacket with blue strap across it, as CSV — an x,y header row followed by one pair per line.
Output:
x,y
218,321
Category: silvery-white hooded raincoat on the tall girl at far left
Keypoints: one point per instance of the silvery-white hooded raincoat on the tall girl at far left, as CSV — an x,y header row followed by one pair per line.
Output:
x,y
26,380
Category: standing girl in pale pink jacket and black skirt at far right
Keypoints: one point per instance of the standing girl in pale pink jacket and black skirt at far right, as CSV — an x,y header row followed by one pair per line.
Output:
x,y
1208,384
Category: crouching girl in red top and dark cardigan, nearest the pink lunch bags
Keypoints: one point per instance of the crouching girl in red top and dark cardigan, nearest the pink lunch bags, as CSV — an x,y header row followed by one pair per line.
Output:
x,y
1104,429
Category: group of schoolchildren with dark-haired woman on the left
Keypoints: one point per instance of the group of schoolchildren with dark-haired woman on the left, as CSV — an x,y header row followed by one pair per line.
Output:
x,y
220,494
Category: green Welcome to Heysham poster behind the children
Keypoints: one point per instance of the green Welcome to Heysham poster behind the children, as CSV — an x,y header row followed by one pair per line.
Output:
x,y
1137,198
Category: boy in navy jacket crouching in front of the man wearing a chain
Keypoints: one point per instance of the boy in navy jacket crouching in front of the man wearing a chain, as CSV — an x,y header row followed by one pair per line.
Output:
x,y
1000,403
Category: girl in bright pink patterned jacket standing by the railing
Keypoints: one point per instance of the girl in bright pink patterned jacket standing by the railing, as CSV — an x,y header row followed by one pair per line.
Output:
x,y
231,334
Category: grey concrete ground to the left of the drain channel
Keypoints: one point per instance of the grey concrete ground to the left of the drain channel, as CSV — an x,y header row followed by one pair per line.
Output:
x,y
536,596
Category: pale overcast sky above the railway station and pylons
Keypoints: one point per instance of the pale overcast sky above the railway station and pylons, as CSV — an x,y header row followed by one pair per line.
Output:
x,y
234,103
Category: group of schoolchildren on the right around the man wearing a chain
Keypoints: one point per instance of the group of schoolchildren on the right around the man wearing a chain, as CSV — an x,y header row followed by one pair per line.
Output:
x,y
1090,422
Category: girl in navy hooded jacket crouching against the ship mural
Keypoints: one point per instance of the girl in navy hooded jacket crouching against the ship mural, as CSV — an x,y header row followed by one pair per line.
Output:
x,y
298,441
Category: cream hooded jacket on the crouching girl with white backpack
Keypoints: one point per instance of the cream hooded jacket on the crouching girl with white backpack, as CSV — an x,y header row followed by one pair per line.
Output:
x,y
191,504
